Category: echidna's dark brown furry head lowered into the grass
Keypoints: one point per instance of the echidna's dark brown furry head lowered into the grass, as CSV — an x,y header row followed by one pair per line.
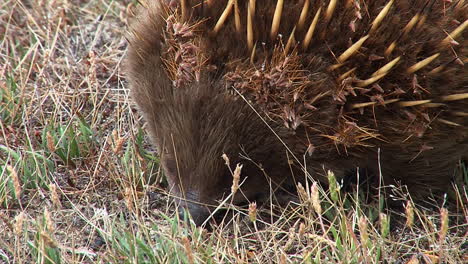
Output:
x,y
194,129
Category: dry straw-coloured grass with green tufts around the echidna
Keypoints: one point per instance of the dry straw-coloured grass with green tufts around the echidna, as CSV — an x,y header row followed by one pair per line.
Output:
x,y
78,183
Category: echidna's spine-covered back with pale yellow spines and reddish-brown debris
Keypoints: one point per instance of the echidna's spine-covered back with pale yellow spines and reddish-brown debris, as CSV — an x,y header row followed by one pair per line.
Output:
x,y
347,71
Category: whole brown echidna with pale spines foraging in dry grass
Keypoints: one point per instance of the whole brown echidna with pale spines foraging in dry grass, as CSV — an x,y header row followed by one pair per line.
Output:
x,y
294,88
